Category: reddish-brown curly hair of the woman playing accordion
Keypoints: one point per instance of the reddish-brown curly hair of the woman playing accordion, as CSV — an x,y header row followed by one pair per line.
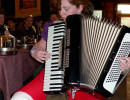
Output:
x,y
88,7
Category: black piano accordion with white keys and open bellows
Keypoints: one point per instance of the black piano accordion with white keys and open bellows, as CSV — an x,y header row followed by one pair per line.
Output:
x,y
85,53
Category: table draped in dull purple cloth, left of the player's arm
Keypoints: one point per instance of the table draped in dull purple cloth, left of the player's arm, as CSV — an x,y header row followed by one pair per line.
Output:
x,y
14,70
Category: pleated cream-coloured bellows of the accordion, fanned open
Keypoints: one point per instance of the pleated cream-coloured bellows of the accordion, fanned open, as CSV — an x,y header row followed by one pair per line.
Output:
x,y
97,40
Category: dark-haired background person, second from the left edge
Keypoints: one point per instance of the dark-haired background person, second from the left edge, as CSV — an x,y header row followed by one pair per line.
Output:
x,y
11,23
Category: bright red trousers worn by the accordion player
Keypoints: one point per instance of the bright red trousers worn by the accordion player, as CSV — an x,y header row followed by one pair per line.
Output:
x,y
35,90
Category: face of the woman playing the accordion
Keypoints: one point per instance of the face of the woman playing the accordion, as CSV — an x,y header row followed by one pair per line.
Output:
x,y
69,9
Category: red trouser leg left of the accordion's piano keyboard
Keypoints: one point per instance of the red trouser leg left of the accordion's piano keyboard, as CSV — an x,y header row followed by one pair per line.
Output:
x,y
35,87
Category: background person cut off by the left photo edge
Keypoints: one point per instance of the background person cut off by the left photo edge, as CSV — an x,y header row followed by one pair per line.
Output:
x,y
3,29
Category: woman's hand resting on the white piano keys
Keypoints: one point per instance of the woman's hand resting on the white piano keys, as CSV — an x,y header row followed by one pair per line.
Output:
x,y
41,55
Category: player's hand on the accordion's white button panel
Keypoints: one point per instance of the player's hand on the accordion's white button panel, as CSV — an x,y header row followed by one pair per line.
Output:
x,y
124,63
